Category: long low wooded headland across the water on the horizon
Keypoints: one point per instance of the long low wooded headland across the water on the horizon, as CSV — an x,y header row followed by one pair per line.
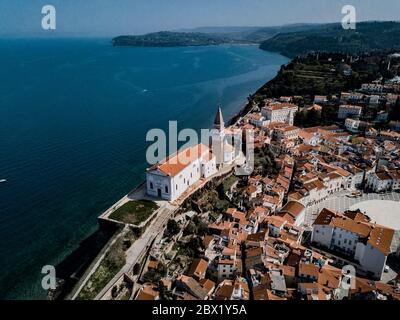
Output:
x,y
172,39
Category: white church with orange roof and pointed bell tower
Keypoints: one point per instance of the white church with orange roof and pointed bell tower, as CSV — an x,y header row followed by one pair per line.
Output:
x,y
170,178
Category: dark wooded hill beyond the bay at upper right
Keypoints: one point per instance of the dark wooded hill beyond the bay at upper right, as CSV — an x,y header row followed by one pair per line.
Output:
x,y
369,36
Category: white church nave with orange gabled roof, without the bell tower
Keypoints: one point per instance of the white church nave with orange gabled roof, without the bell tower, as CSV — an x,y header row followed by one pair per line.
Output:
x,y
170,178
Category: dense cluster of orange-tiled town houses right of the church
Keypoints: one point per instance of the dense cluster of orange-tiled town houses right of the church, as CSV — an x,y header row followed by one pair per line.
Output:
x,y
261,247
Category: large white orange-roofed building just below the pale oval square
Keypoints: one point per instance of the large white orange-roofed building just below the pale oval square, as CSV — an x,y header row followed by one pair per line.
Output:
x,y
352,239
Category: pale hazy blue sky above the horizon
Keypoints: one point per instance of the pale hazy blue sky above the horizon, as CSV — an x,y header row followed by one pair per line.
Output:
x,y
113,17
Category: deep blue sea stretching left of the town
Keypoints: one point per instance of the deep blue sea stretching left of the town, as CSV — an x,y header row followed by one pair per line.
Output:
x,y
73,119
